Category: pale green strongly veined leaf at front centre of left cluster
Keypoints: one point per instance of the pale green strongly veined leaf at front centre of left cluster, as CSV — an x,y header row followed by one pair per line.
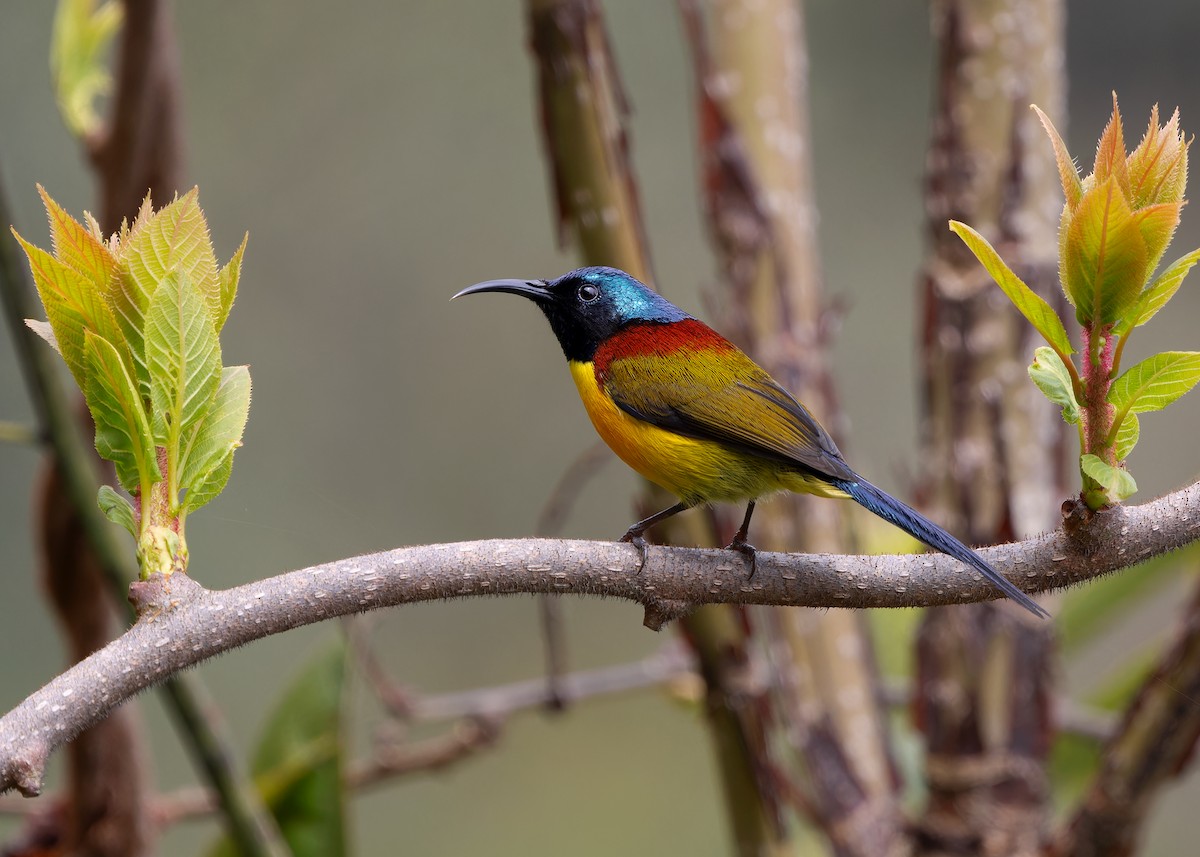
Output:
x,y
183,358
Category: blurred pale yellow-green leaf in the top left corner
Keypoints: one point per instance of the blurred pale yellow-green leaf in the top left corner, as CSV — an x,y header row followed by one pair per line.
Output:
x,y
82,33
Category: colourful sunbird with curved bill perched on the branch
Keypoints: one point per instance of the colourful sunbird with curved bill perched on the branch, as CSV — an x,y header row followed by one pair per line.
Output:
x,y
691,412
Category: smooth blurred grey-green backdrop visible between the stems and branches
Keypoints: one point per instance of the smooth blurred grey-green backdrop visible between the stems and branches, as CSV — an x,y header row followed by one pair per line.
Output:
x,y
385,155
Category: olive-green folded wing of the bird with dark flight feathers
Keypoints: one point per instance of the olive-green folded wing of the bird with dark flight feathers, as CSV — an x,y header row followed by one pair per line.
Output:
x,y
728,398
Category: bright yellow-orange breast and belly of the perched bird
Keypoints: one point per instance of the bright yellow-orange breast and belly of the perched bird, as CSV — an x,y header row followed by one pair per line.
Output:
x,y
693,470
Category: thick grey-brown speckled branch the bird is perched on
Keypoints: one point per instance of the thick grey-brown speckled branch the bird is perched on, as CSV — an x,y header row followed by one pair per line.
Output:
x,y
183,625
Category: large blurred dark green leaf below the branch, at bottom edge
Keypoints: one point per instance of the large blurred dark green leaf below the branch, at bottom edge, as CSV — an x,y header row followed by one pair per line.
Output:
x,y
298,765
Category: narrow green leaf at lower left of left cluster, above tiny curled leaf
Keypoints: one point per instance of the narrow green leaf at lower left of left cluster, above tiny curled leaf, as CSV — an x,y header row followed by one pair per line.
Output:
x,y
123,433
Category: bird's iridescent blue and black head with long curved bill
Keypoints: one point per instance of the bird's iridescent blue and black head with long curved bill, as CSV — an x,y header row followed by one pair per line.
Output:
x,y
589,305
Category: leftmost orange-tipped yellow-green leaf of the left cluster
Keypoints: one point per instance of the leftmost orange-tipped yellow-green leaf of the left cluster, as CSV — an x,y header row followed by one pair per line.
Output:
x,y
73,305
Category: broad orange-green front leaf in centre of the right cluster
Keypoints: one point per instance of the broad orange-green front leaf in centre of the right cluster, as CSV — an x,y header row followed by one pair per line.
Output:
x,y
1106,261
